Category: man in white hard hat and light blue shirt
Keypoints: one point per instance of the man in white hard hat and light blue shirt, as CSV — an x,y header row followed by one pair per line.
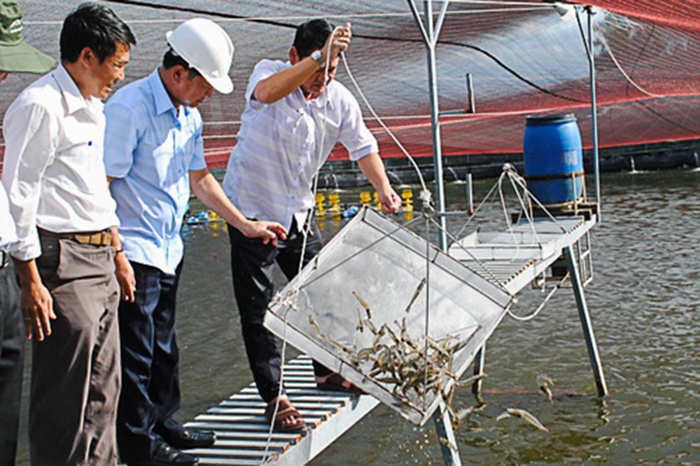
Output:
x,y
154,156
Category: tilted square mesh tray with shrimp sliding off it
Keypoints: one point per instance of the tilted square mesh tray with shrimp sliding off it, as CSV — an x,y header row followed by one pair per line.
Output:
x,y
390,312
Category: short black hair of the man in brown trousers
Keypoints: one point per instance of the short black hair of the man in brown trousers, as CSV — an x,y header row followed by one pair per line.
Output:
x,y
96,27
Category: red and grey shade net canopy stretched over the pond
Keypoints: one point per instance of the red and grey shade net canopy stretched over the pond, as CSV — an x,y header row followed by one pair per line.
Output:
x,y
524,58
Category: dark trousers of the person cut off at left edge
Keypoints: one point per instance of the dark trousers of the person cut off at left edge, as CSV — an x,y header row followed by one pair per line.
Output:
x,y
11,363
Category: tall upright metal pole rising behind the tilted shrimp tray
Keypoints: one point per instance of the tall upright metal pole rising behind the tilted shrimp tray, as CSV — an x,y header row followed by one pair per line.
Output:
x,y
435,124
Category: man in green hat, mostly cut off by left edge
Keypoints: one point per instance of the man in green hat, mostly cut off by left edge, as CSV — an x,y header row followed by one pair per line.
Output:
x,y
16,56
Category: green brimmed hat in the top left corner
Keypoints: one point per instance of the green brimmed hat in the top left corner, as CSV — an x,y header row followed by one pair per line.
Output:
x,y
17,56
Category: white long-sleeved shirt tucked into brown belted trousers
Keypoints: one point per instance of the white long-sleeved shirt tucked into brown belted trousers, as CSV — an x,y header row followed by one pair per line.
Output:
x,y
54,172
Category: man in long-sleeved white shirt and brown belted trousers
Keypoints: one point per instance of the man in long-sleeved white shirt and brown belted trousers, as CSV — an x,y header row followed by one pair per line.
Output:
x,y
65,217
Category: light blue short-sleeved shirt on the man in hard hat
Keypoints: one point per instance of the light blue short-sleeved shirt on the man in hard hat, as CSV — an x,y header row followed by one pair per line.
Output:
x,y
149,149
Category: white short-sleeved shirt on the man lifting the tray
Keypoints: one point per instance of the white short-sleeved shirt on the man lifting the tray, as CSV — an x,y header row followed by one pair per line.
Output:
x,y
281,146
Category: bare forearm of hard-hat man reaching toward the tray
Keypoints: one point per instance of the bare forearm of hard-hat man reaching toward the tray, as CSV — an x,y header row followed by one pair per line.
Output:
x,y
209,191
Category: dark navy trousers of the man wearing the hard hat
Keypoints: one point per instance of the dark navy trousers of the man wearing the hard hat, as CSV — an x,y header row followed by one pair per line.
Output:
x,y
149,354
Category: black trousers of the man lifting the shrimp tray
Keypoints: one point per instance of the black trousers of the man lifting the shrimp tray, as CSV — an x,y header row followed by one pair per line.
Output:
x,y
252,264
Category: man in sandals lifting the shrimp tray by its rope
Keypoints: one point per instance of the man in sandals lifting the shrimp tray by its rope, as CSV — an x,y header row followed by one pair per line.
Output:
x,y
292,120
